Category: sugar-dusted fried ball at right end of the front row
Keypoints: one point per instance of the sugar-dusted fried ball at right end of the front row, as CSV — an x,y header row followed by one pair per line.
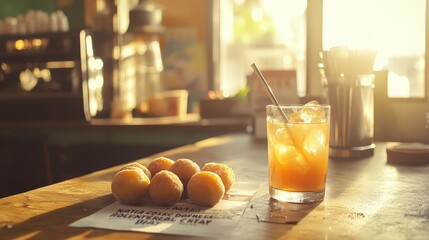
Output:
x,y
205,189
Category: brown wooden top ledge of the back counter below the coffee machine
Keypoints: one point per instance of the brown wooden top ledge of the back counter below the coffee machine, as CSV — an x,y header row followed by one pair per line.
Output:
x,y
186,129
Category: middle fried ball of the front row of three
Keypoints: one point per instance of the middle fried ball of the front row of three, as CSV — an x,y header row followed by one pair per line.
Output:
x,y
165,188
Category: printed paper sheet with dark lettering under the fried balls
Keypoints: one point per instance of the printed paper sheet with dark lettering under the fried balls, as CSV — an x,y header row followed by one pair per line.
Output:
x,y
183,218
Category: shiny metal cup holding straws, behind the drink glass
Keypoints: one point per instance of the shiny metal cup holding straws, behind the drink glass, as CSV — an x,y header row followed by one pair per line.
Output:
x,y
352,121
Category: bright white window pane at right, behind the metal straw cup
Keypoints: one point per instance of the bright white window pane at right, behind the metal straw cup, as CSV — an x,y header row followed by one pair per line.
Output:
x,y
395,28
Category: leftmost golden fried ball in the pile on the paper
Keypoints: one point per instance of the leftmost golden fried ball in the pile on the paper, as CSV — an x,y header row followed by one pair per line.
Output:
x,y
129,186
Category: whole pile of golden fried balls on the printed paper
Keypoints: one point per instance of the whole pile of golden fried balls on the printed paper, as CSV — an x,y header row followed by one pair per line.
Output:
x,y
167,182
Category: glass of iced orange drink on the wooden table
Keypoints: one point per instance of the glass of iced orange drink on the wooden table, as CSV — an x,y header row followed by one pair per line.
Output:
x,y
298,151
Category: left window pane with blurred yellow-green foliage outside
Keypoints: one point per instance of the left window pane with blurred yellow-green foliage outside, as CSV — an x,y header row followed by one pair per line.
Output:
x,y
270,33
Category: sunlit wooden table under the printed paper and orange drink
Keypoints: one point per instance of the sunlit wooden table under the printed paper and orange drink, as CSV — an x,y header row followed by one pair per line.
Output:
x,y
366,199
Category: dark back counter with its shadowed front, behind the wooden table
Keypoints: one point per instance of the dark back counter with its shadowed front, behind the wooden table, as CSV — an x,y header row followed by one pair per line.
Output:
x,y
63,149
